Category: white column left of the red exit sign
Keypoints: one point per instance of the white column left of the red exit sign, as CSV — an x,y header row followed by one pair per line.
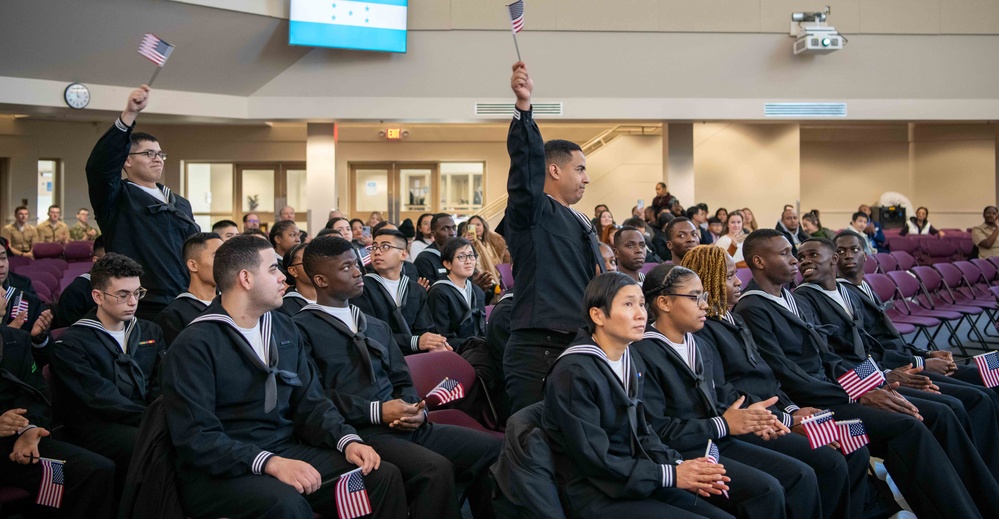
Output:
x,y
320,173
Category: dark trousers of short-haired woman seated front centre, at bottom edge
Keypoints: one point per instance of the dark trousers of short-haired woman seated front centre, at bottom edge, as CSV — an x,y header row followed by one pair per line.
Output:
x,y
668,502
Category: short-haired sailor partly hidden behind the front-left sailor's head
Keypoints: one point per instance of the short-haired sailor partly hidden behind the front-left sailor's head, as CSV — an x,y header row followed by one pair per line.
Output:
x,y
199,256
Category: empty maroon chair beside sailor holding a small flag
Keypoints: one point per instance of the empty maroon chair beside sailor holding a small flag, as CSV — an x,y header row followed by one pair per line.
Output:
x,y
429,369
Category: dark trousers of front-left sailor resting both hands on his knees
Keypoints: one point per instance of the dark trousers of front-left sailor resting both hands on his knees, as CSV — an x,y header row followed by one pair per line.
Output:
x,y
264,496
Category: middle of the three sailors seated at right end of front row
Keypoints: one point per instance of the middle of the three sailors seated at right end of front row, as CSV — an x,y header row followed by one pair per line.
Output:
x,y
832,304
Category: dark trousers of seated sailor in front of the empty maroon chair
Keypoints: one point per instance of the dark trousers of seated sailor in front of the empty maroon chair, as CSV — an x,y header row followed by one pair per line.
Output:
x,y
432,458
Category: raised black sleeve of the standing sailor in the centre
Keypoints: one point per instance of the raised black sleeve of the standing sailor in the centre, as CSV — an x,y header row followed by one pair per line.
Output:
x,y
526,182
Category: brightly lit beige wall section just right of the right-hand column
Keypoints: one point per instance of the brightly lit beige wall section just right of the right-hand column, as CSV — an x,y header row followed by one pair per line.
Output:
x,y
747,165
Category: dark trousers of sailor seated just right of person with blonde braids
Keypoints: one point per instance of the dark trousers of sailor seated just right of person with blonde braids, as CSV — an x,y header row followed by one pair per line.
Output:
x,y
936,479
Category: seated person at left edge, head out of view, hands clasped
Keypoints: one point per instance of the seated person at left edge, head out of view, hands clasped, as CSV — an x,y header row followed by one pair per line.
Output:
x,y
25,419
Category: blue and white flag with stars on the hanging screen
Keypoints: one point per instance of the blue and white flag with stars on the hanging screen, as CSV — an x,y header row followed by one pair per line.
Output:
x,y
378,25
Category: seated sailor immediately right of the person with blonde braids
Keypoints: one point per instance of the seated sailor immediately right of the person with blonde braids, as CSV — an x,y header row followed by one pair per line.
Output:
x,y
962,485
